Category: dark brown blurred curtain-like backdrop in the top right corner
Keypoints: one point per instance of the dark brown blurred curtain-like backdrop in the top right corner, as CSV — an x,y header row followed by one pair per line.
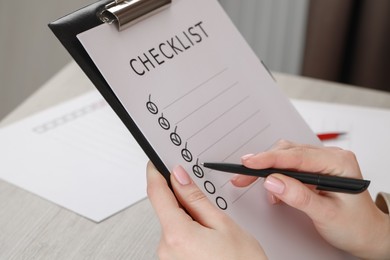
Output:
x,y
349,41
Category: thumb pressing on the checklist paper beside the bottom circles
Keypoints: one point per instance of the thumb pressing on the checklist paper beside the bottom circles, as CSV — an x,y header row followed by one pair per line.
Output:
x,y
194,200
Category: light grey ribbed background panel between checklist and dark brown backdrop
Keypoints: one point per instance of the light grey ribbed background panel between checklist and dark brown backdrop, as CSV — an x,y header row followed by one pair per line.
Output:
x,y
275,29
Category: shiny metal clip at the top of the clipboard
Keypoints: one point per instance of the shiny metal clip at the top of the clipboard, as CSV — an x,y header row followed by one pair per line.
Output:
x,y
128,12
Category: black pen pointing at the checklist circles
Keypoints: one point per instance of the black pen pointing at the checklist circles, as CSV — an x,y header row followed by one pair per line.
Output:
x,y
323,182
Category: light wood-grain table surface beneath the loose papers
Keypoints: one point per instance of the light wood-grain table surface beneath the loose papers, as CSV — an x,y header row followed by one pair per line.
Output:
x,y
33,228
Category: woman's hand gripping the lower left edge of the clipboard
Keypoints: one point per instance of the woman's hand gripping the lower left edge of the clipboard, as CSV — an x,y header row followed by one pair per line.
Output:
x,y
196,229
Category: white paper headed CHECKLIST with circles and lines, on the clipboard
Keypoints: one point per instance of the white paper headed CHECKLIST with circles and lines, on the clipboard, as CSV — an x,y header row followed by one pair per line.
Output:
x,y
198,93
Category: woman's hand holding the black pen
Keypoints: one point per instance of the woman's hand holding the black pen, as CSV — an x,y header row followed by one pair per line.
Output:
x,y
350,222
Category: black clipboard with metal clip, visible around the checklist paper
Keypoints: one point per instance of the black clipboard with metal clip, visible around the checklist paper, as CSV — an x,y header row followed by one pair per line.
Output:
x,y
124,14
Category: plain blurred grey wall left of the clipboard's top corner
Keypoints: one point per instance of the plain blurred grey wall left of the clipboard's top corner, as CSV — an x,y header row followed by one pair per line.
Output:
x,y
29,52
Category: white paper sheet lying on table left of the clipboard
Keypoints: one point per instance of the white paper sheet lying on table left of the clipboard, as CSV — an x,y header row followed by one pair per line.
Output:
x,y
77,154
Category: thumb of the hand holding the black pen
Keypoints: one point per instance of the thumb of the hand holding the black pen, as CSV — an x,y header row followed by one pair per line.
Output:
x,y
297,195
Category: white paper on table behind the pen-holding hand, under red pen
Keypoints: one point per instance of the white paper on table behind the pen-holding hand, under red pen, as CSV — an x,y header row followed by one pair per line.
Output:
x,y
367,135
